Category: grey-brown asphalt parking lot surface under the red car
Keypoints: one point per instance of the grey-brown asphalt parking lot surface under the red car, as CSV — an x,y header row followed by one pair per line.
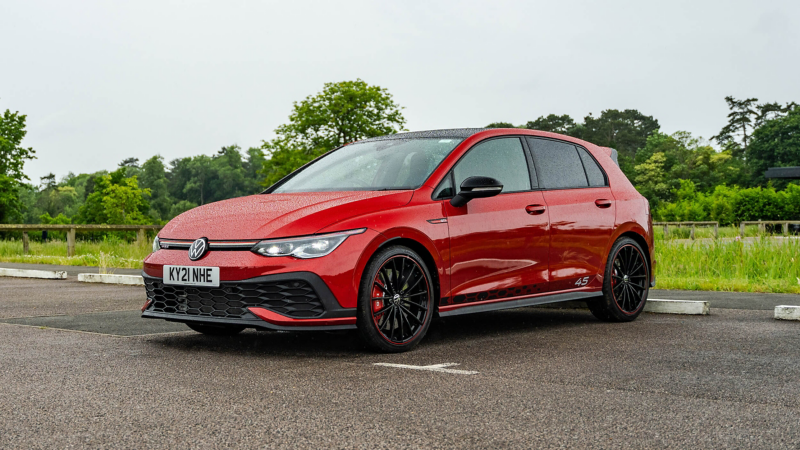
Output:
x,y
80,368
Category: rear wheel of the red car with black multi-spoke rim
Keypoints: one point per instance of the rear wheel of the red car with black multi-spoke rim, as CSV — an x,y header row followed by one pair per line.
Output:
x,y
626,283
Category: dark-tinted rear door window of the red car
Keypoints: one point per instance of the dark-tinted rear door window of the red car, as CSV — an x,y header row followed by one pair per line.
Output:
x,y
558,164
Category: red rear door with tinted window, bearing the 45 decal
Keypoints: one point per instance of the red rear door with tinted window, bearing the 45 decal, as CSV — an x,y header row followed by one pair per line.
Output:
x,y
582,211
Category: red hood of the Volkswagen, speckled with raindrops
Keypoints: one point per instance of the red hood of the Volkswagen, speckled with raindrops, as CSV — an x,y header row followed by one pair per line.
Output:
x,y
279,215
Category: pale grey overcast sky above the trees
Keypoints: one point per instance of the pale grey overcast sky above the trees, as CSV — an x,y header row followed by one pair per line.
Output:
x,y
101,81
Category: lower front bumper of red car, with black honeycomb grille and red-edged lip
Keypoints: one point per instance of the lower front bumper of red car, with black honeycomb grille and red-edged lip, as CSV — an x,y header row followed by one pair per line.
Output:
x,y
287,301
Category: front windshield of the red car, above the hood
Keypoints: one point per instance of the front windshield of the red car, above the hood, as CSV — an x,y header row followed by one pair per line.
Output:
x,y
372,166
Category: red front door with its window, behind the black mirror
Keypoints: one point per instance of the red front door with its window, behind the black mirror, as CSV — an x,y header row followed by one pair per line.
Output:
x,y
499,245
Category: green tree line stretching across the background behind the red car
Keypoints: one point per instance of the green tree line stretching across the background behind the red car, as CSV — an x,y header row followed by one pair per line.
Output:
x,y
683,176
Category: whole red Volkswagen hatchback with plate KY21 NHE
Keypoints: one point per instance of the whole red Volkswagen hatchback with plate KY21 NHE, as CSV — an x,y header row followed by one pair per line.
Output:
x,y
384,234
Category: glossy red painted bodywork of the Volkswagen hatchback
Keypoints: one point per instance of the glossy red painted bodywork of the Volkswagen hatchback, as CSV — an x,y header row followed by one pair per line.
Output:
x,y
490,244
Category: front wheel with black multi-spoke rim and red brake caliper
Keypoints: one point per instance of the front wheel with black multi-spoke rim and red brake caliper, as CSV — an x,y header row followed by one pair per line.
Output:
x,y
395,304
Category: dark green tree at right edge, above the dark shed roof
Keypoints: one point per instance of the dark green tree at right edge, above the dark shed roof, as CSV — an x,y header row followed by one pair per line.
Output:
x,y
775,144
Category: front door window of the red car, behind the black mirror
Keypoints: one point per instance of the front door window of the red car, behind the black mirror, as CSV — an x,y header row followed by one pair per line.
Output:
x,y
502,159
